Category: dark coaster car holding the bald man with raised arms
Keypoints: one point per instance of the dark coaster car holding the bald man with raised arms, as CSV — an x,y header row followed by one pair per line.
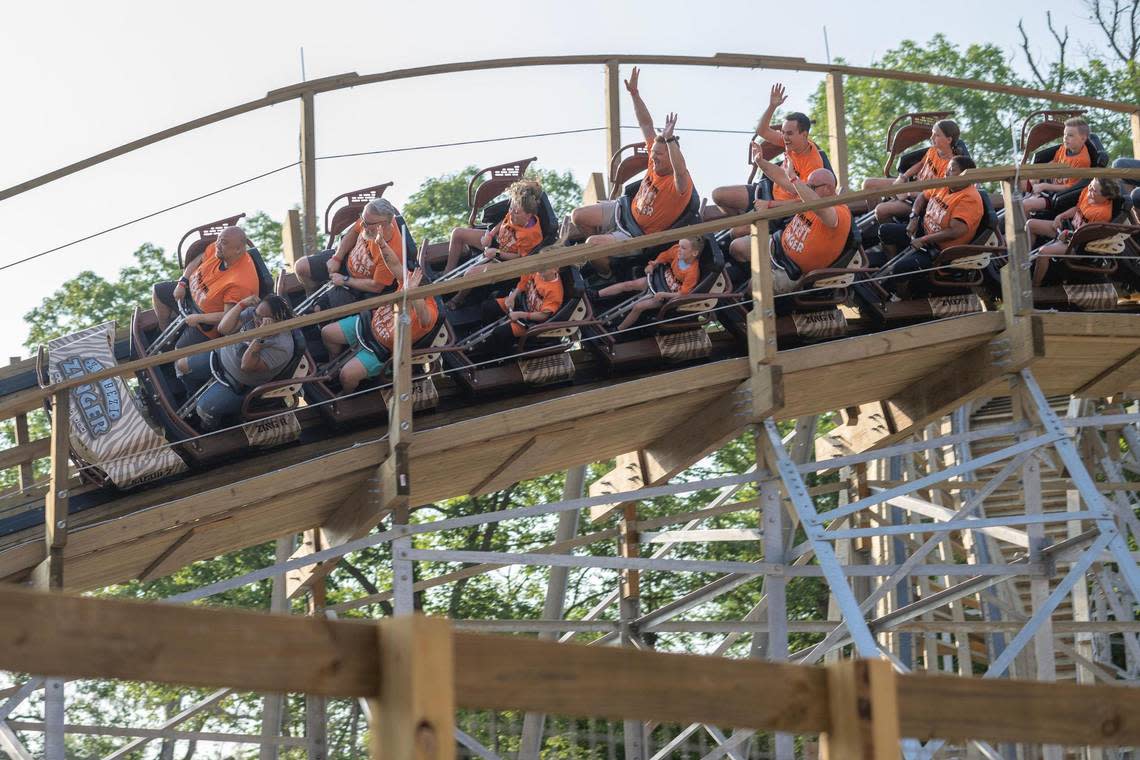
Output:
x,y
813,313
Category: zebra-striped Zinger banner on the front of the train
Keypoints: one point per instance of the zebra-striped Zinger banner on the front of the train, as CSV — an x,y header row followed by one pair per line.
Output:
x,y
109,429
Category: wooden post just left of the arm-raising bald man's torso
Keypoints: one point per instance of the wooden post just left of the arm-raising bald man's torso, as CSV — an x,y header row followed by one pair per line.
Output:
x,y
768,393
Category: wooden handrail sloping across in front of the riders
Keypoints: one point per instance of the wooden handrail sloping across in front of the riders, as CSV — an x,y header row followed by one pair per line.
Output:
x,y
549,258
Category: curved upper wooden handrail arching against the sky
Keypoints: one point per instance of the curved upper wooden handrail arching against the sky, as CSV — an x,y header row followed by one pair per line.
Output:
x,y
721,60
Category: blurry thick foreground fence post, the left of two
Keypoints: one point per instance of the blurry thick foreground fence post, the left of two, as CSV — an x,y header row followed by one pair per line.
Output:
x,y
413,717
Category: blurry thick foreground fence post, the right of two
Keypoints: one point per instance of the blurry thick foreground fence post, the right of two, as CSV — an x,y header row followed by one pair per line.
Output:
x,y
864,706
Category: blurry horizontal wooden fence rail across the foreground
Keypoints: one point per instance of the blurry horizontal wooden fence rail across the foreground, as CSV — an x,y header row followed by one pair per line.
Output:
x,y
75,636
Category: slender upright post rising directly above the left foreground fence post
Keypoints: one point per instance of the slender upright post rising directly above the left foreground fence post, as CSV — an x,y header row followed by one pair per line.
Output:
x,y
396,480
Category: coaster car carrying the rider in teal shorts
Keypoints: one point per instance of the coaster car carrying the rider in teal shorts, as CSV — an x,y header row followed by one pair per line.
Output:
x,y
370,402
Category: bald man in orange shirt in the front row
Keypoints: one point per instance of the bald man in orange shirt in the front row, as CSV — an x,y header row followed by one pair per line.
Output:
x,y
223,276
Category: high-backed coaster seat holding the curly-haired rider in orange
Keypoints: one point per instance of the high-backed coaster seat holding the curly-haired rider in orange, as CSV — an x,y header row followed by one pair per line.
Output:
x,y
485,211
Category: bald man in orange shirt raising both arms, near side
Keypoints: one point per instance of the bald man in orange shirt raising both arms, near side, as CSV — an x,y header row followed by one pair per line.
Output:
x,y
812,240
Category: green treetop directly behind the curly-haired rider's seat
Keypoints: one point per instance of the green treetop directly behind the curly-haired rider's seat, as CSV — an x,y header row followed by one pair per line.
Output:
x,y
441,203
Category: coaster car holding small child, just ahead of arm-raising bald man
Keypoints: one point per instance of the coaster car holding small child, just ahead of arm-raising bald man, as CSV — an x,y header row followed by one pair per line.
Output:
x,y
674,333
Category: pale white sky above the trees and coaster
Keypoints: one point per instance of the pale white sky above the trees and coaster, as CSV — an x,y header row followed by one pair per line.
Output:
x,y
82,78
